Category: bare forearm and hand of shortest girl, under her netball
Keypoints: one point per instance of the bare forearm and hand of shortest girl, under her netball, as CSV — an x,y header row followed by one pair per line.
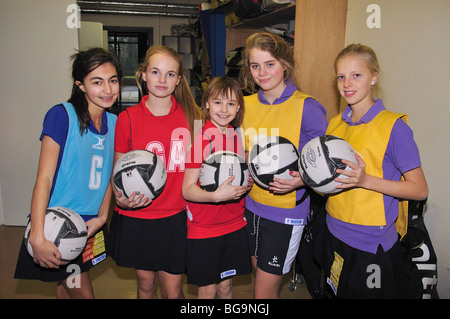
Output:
x,y
224,192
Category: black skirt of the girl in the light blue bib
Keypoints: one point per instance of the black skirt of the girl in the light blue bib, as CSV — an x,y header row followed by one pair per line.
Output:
x,y
94,253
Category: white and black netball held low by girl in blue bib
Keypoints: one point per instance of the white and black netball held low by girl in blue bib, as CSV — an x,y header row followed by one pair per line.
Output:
x,y
66,229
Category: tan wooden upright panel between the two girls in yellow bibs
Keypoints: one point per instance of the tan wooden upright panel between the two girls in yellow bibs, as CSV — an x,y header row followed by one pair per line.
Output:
x,y
319,37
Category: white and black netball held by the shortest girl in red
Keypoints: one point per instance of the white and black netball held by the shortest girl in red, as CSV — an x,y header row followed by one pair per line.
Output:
x,y
219,166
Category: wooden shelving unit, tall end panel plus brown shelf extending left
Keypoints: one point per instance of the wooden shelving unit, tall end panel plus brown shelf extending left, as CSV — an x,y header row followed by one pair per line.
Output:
x,y
319,36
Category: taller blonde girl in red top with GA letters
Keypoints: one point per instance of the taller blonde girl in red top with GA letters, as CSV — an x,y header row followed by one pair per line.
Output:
x,y
150,236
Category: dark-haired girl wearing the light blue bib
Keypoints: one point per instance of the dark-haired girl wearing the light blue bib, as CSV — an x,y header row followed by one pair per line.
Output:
x,y
77,140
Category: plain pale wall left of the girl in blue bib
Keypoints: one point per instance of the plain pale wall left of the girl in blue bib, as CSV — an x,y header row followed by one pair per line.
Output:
x,y
36,44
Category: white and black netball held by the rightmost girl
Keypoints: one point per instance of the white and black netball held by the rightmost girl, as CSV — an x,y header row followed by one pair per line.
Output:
x,y
319,160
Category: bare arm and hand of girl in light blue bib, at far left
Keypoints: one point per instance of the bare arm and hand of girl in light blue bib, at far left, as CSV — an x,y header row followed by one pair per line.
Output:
x,y
45,253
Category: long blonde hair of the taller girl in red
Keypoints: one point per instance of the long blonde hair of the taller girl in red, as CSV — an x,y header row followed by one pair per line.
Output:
x,y
182,92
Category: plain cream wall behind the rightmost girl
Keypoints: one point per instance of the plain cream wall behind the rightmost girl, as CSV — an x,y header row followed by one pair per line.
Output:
x,y
413,47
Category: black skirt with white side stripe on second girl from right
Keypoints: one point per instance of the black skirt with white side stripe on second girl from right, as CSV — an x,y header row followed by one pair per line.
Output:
x,y
275,245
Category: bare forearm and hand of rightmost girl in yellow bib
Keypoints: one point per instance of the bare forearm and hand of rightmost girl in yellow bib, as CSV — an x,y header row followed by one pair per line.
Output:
x,y
413,187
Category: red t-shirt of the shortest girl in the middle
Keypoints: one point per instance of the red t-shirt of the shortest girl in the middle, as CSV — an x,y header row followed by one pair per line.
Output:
x,y
212,220
